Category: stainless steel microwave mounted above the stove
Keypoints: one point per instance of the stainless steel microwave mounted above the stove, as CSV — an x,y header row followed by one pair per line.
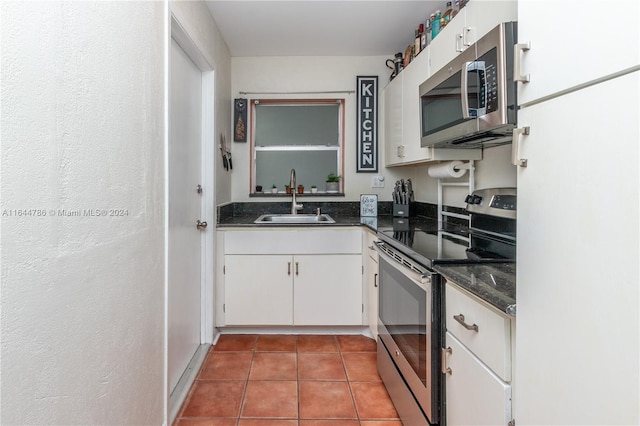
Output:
x,y
471,101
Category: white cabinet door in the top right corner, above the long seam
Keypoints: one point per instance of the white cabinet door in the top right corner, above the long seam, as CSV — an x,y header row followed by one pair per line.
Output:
x,y
574,43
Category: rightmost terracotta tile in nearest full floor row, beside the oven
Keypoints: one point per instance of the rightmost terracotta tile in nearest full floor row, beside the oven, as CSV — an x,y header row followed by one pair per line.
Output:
x,y
373,401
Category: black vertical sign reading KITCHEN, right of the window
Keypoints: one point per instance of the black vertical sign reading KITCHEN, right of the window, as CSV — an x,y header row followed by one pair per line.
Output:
x,y
367,124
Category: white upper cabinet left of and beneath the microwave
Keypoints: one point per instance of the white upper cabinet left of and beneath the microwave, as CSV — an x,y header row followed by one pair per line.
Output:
x,y
402,134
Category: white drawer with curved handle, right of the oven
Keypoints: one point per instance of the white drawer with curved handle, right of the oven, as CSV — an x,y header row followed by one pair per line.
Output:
x,y
491,340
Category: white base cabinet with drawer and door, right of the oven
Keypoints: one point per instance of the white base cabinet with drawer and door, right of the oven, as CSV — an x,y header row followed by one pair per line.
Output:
x,y
477,361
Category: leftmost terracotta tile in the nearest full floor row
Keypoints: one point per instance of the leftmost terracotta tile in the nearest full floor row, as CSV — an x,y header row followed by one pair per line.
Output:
x,y
215,399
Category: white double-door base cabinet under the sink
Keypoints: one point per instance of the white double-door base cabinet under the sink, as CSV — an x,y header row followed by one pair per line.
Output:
x,y
293,277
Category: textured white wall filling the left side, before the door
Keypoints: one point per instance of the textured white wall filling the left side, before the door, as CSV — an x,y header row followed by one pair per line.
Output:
x,y
82,305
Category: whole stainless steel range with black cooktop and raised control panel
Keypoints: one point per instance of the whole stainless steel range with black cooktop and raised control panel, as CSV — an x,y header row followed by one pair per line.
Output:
x,y
411,298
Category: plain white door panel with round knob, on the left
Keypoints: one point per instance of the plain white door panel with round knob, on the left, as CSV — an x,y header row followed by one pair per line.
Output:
x,y
185,207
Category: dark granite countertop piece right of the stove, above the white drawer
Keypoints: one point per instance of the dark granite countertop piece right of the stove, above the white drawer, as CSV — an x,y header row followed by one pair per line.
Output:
x,y
495,283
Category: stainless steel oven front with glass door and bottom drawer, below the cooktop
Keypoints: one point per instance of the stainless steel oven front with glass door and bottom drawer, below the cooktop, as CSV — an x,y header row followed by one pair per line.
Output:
x,y
409,334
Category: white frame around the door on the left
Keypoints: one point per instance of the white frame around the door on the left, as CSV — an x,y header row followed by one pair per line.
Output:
x,y
181,33
